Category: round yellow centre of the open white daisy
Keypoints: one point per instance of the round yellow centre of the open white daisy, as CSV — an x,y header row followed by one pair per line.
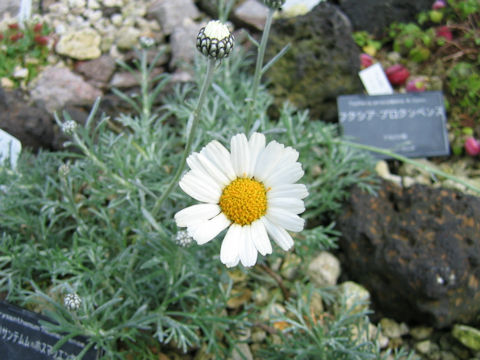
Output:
x,y
243,201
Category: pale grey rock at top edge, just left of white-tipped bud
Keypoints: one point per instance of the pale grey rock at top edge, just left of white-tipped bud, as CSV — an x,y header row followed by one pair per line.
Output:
x,y
171,14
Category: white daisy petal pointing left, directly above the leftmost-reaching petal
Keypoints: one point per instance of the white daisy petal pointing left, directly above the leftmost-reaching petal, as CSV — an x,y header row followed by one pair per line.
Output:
x,y
195,185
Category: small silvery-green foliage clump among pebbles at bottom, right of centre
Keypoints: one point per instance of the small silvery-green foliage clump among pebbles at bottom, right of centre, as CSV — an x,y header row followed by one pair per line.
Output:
x,y
343,336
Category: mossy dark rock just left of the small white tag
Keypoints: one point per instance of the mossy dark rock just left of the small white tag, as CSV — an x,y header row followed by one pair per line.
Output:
x,y
322,63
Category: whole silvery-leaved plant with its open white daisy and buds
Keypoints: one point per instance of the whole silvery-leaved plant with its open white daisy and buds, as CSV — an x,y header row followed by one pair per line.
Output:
x,y
138,234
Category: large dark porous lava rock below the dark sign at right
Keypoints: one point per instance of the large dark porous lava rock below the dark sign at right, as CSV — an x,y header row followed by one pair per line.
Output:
x,y
417,250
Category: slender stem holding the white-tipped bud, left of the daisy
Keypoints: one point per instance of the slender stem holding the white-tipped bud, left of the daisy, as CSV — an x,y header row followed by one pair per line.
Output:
x,y
190,136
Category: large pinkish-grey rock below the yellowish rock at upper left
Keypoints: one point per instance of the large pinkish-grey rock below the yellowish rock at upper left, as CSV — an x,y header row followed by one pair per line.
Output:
x,y
57,86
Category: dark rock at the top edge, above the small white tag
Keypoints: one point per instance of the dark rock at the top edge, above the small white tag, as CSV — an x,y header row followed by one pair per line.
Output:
x,y
375,16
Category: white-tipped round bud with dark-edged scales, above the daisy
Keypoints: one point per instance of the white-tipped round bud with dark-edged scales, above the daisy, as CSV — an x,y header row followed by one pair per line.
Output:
x,y
215,40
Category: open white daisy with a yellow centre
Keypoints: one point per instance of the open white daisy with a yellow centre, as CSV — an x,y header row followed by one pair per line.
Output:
x,y
251,191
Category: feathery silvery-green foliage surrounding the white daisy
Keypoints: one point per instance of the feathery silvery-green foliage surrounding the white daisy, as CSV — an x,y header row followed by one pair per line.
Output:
x,y
93,231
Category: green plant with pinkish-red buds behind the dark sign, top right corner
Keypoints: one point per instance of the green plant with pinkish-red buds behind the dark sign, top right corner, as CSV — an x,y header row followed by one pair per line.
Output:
x,y
442,49
